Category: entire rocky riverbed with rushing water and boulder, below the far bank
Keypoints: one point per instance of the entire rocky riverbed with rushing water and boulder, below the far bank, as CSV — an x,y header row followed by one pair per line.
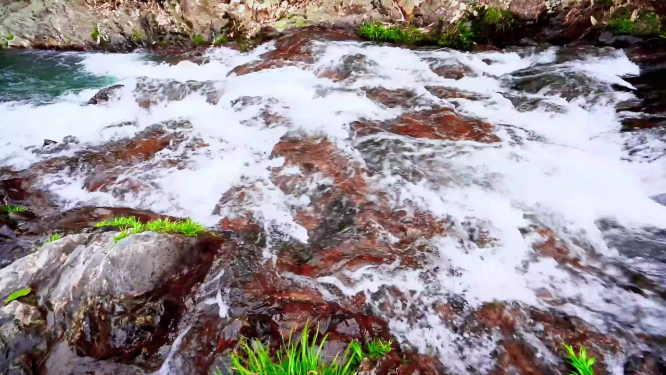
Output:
x,y
478,208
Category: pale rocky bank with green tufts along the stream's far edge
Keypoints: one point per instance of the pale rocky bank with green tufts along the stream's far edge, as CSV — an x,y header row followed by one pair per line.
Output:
x,y
187,24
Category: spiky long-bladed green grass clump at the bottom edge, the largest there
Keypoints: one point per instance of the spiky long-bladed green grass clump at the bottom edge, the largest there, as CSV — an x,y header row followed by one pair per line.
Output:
x,y
300,357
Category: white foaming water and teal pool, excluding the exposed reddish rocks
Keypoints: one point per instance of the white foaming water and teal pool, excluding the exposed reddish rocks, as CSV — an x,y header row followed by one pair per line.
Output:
x,y
561,163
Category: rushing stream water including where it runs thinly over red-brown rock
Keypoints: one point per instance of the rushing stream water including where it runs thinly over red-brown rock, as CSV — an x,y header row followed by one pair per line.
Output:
x,y
539,156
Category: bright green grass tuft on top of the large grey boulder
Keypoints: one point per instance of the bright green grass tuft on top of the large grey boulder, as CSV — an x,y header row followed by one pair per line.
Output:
x,y
129,225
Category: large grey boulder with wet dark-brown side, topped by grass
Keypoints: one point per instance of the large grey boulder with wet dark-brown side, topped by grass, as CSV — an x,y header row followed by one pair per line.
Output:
x,y
110,300
